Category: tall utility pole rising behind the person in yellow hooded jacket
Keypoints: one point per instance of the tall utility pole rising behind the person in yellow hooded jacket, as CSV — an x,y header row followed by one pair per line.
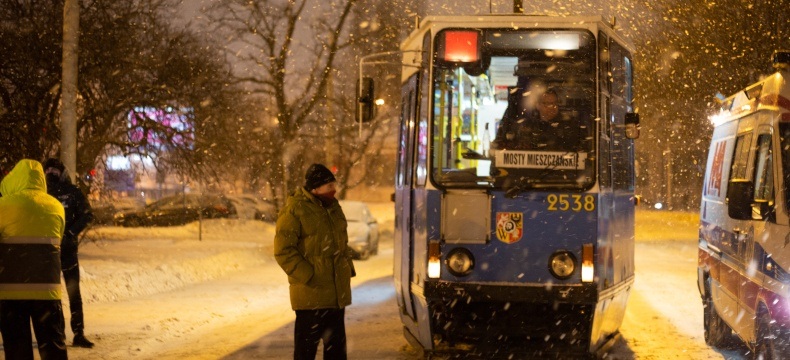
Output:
x,y
68,107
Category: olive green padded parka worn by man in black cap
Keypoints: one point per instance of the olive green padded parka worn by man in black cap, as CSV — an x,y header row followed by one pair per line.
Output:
x,y
311,246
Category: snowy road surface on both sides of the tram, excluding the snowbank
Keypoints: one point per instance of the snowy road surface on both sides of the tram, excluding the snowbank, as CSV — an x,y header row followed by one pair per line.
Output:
x,y
245,314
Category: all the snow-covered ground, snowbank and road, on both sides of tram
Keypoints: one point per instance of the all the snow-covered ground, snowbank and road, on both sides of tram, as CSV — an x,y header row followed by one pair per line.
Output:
x,y
215,292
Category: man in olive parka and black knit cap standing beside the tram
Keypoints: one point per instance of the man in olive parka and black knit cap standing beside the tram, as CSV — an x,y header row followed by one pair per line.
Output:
x,y
311,246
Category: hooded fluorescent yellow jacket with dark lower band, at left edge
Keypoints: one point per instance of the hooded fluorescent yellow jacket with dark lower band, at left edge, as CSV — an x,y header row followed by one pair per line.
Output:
x,y
31,226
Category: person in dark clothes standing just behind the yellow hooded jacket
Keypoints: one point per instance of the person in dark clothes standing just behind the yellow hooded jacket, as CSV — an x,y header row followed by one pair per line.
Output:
x,y
78,216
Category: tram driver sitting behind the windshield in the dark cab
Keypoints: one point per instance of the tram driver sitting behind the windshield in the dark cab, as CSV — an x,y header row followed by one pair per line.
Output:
x,y
541,129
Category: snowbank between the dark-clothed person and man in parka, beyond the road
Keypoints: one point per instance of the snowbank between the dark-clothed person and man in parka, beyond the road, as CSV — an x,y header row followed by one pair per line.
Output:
x,y
119,263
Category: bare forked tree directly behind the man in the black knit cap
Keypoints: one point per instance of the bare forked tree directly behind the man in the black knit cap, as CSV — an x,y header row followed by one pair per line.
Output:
x,y
285,52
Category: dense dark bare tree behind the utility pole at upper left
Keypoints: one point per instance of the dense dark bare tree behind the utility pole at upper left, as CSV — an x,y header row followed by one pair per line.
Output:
x,y
130,57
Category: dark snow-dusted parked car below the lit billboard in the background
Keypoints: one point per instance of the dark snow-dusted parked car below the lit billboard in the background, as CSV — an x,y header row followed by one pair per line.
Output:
x,y
178,210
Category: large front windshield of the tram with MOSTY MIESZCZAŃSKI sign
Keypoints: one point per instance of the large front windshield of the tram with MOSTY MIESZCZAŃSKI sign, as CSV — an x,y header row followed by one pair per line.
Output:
x,y
520,113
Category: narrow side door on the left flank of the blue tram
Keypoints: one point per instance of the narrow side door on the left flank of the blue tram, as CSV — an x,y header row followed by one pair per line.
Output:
x,y
404,184
